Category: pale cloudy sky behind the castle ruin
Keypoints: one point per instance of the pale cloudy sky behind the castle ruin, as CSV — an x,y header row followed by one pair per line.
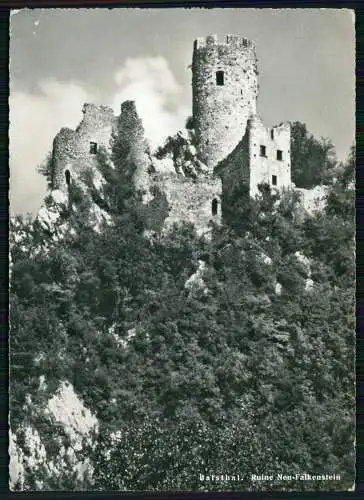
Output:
x,y
61,58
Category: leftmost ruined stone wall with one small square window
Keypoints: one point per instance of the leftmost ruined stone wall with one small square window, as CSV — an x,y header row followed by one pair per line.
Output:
x,y
71,148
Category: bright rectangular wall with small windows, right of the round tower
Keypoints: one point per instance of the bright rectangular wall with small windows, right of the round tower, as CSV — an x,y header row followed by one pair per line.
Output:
x,y
264,166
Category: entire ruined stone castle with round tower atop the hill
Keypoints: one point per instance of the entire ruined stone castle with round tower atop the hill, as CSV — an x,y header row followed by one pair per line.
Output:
x,y
232,142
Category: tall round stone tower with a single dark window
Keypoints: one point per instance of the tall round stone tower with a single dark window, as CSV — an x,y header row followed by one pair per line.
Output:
x,y
224,92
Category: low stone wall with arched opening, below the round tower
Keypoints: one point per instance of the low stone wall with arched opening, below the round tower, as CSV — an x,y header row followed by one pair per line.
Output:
x,y
190,200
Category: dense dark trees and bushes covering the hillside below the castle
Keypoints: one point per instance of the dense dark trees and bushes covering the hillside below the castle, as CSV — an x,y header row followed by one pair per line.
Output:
x,y
250,372
